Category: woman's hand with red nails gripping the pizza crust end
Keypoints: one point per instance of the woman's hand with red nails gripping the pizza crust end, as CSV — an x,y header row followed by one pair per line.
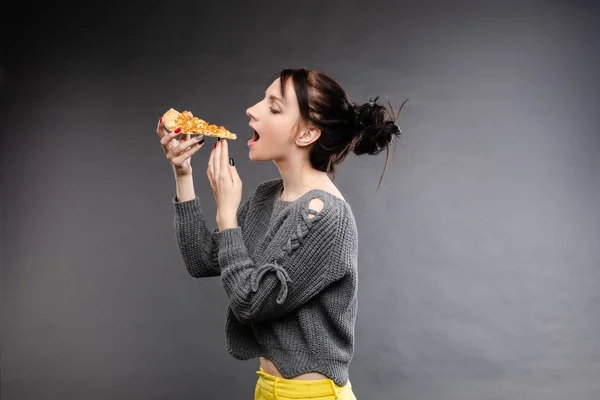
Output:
x,y
178,152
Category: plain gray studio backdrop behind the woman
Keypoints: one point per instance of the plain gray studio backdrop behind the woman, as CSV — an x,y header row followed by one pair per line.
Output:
x,y
479,257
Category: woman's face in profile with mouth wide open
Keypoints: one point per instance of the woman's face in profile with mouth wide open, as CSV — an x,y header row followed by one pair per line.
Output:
x,y
274,121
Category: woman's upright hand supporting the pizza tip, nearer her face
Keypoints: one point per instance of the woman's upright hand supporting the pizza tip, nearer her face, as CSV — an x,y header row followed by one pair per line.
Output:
x,y
225,184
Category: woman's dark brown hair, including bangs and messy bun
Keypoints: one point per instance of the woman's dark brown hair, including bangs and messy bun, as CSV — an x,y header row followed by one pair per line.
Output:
x,y
345,126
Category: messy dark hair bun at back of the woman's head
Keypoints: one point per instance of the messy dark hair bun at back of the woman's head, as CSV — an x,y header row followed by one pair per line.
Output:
x,y
376,127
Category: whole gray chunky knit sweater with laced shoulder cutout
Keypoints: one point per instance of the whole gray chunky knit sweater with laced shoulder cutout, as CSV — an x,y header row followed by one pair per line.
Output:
x,y
290,273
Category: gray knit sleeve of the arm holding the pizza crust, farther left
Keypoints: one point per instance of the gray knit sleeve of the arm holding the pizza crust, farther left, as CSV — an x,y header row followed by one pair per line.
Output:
x,y
195,241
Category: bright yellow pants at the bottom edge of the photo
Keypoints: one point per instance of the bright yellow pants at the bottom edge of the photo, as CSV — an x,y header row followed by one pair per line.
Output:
x,y
269,387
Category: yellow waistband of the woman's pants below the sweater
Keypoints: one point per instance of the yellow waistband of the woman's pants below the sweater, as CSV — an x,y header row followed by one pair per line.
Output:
x,y
296,388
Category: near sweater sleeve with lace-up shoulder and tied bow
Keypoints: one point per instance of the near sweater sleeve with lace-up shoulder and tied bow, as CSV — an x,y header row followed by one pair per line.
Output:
x,y
312,260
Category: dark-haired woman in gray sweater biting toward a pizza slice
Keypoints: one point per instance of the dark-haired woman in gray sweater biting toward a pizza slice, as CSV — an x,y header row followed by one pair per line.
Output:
x,y
287,254
